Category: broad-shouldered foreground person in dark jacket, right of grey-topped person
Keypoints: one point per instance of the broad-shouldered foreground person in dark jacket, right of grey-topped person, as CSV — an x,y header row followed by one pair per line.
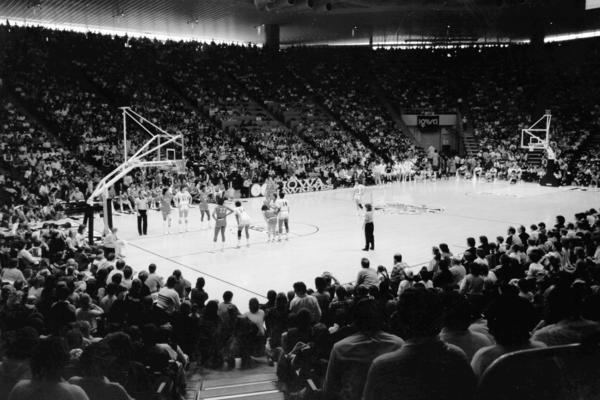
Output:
x,y
425,367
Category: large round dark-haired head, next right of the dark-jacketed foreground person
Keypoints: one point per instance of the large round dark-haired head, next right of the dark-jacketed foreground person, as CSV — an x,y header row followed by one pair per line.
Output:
x,y
510,319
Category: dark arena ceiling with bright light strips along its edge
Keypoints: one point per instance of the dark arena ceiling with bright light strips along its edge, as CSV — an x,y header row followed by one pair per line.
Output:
x,y
348,21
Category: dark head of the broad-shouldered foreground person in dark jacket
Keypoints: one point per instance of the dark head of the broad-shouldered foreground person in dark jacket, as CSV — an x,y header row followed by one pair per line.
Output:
x,y
420,312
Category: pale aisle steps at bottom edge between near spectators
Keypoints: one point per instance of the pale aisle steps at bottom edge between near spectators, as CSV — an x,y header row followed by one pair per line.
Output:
x,y
257,383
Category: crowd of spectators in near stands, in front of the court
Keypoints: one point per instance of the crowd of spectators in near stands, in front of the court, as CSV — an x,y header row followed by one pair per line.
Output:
x,y
77,319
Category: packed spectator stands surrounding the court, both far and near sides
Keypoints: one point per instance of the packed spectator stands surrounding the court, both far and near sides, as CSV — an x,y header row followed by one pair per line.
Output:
x,y
74,311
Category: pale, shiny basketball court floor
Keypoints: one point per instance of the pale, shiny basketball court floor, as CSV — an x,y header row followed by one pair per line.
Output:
x,y
326,232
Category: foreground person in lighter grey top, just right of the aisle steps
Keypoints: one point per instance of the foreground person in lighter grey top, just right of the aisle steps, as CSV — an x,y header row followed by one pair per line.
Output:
x,y
351,357
